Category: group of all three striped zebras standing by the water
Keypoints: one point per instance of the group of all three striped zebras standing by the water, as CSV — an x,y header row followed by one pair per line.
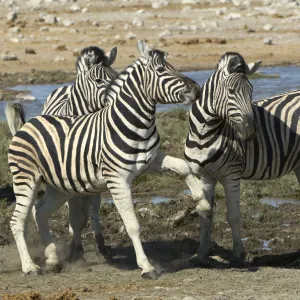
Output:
x,y
100,134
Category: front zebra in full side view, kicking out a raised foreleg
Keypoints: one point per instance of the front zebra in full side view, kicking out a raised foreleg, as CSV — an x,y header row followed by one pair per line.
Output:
x,y
90,153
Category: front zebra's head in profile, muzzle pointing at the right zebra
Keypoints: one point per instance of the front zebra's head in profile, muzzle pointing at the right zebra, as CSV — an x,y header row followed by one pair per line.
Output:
x,y
162,82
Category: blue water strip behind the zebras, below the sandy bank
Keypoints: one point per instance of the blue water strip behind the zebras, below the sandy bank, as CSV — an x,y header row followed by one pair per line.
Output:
x,y
289,80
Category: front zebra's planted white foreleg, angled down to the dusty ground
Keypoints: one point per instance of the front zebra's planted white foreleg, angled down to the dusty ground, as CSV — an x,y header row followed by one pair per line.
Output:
x,y
122,198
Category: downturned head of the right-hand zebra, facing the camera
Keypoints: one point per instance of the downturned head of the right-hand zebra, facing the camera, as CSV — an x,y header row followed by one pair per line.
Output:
x,y
233,95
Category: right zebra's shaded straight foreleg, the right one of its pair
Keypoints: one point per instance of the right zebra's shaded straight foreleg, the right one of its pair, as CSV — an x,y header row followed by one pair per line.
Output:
x,y
232,194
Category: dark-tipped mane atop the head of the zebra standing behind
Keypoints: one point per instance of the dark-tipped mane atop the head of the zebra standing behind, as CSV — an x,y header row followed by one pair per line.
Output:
x,y
88,57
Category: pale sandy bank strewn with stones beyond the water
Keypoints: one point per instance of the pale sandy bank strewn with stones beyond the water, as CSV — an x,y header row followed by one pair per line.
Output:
x,y
198,35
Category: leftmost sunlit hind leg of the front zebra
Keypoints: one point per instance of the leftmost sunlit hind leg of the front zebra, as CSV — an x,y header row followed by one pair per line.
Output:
x,y
25,197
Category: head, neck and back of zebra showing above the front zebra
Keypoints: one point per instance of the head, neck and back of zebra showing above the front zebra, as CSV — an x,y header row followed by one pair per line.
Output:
x,y
87,94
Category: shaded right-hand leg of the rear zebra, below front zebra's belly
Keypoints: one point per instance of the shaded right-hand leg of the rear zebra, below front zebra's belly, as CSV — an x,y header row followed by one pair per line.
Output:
x,y
94,208
